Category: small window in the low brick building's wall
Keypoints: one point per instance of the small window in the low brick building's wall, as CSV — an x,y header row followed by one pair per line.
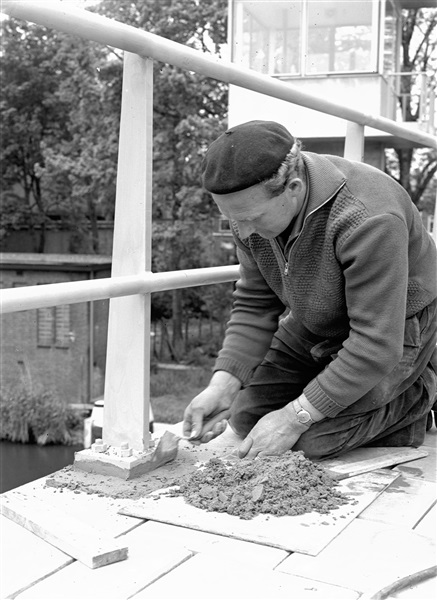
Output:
x,y
54,326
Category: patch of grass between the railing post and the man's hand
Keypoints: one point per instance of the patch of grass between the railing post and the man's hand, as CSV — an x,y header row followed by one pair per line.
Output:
x,y
172,391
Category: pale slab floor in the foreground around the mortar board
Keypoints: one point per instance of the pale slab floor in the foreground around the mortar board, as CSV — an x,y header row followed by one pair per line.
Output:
x,y
393,537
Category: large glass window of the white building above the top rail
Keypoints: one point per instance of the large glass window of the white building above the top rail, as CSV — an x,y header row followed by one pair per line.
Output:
x,y
289,37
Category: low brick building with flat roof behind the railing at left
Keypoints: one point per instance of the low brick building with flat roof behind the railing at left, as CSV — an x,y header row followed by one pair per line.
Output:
x,y
50,348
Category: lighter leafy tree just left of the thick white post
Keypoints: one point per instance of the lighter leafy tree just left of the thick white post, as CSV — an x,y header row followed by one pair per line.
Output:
x,y
79,173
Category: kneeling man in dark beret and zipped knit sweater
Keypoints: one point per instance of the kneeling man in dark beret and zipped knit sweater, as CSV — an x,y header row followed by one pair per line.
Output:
x,y
331,343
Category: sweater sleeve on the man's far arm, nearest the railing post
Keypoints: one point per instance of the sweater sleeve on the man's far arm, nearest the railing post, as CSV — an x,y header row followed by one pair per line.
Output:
x,y
254,319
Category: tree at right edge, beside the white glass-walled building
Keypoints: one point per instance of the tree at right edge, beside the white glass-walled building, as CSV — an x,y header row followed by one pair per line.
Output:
x,y
415,169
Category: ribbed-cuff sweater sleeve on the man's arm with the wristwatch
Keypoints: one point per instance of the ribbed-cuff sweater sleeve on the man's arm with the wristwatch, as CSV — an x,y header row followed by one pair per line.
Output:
x,y
374,259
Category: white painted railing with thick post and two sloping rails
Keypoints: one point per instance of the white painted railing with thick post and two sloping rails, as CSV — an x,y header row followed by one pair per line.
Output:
x,y
128,357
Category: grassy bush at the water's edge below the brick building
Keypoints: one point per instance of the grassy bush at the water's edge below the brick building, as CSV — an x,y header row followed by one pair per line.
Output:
x,y
29,416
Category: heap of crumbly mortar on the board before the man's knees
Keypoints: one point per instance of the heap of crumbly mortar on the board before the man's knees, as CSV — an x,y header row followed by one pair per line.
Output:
x,y
289,484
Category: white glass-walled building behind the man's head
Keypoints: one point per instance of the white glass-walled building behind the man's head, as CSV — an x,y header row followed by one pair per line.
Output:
x,y
346,50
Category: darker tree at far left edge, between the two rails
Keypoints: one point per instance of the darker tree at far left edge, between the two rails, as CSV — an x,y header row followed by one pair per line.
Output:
x,y
29,114
